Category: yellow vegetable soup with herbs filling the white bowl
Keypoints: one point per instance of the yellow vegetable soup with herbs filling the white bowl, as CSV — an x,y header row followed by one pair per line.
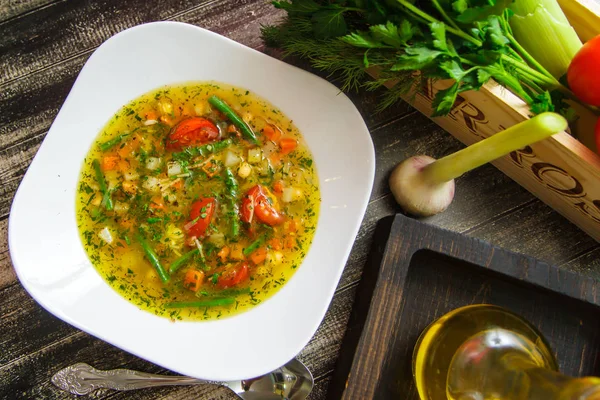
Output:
x,y
198,201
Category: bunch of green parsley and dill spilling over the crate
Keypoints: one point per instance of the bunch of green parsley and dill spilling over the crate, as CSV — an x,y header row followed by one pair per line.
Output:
x,y
470,41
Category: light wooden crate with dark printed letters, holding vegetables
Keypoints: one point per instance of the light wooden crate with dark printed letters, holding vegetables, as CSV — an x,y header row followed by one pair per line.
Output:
x,y
561,171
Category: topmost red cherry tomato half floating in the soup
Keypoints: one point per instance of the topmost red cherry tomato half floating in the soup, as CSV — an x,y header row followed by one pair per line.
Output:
x,y
192,132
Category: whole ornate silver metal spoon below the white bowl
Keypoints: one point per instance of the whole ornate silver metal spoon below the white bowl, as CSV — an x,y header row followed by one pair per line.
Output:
x,y
293,381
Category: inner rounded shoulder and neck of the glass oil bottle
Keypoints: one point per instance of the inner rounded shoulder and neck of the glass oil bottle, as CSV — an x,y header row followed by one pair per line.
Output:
x,y
500,364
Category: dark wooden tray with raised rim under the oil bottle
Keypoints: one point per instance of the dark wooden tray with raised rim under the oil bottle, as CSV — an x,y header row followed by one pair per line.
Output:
x,y
417,272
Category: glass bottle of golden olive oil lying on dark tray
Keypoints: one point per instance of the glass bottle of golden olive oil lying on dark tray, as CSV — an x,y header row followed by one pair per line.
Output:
x,y
485,352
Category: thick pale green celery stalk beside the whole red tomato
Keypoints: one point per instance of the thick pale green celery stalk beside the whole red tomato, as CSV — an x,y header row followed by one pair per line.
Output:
x,y
542,29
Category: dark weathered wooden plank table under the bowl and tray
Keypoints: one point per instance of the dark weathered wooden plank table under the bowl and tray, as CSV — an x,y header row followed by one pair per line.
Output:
x,y
44,44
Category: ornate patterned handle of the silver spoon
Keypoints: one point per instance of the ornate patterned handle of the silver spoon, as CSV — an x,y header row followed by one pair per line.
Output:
x,y
82,379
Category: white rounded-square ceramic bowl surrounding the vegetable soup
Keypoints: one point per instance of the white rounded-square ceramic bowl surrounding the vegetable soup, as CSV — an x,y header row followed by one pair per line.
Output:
x,y
52,264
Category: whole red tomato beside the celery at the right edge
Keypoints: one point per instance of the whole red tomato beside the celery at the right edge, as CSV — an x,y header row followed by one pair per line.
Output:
x,y
583,76
